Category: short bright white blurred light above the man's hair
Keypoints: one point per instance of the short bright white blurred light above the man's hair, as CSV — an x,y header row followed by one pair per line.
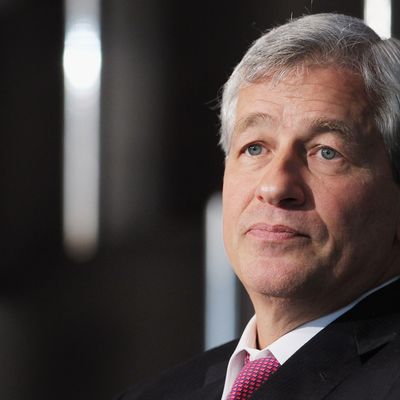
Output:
x,y
378,16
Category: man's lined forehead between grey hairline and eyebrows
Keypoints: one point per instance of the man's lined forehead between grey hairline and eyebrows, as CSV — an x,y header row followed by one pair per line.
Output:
x,y
316,92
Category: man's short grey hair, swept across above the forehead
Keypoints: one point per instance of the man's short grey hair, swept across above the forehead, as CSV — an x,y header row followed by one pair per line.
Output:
x,y
325,39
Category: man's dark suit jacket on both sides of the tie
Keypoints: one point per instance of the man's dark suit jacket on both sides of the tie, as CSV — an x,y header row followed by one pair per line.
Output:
x,y
357,357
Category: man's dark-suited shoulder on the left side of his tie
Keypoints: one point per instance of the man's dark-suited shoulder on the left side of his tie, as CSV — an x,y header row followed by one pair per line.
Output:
x,y
185,378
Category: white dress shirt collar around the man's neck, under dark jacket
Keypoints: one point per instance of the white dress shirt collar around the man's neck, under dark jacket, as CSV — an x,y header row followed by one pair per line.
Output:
x,y
285,346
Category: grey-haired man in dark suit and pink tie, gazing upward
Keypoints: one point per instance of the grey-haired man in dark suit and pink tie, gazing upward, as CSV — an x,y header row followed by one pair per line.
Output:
x,y
311,202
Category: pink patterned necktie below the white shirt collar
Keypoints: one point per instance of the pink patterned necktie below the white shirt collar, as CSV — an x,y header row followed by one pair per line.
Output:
x,y
252,376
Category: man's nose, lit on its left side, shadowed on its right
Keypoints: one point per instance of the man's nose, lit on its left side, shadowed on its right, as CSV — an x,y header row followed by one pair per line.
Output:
x,y
281,183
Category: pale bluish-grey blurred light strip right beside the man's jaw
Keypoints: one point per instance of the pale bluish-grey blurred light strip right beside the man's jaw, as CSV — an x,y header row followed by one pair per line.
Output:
x,y
220,282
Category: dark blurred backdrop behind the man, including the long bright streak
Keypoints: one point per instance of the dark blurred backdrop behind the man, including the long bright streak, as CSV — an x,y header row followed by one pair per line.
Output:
x,y
105,181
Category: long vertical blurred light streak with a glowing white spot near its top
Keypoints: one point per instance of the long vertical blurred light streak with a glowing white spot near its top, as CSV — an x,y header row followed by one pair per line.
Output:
x,y
82,70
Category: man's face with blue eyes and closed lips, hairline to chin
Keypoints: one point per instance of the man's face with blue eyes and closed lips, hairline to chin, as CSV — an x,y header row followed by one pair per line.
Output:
x,y
311,210
